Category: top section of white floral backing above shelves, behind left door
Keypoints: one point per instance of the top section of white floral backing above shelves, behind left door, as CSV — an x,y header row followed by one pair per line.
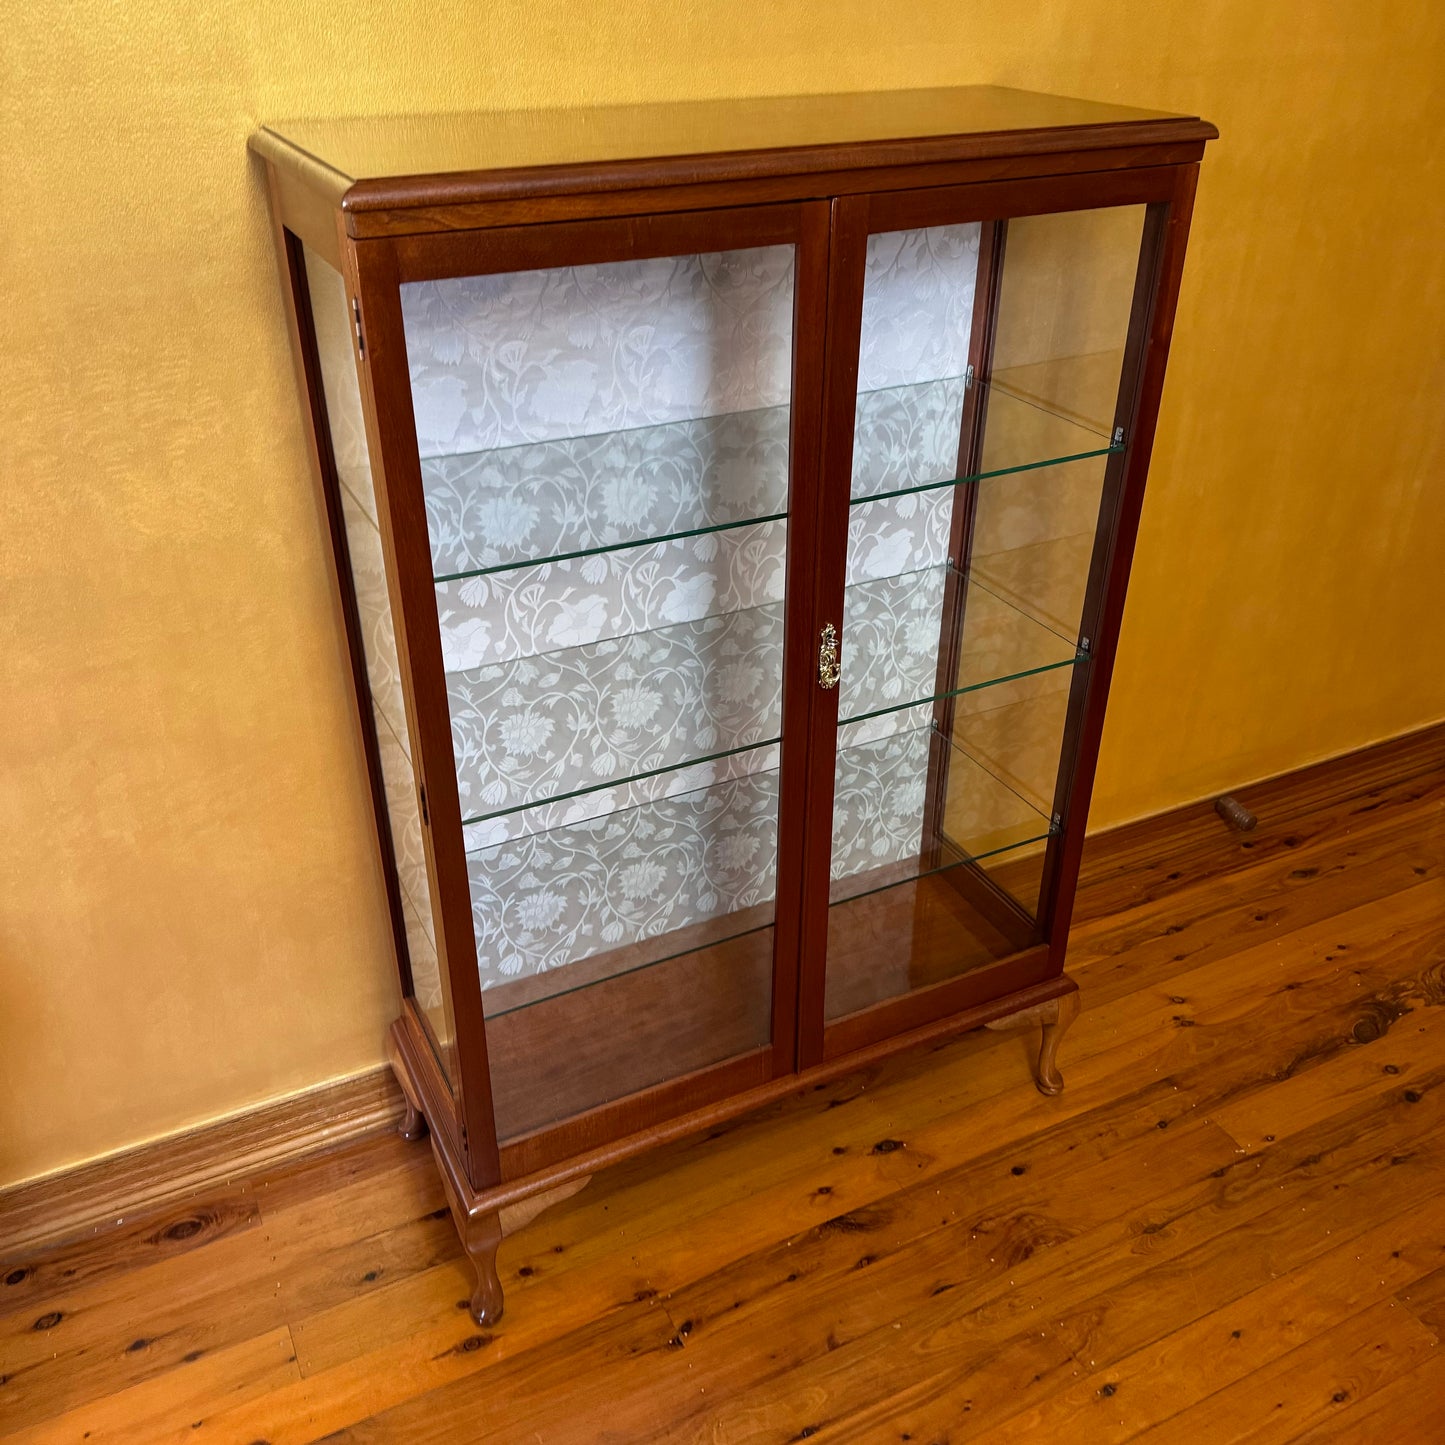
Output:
x,y
580,350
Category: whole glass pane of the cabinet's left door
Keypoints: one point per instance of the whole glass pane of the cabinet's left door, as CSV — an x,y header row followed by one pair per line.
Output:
x,y
605,456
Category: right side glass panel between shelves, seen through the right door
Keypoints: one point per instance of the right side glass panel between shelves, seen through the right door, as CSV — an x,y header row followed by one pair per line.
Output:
x,y
1063,317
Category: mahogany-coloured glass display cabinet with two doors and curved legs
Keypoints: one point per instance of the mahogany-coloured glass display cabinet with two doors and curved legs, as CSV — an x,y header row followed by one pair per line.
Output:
x,y
732,509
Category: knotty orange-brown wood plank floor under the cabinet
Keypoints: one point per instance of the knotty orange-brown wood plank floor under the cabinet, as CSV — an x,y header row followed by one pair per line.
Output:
x,y
1230,1226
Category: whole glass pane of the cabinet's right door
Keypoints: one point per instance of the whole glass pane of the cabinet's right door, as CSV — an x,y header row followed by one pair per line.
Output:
x,y
989,372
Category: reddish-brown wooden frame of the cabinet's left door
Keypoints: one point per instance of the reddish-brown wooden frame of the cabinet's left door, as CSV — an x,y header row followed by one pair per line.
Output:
x,y
381,268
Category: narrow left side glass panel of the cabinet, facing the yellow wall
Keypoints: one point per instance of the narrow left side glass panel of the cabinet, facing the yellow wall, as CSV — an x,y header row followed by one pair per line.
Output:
x,y
333,324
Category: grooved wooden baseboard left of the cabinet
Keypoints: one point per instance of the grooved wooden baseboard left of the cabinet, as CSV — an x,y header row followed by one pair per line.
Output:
x,y
77,1203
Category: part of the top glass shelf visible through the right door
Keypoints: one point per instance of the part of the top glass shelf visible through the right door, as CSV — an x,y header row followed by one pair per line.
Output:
x,y
923,427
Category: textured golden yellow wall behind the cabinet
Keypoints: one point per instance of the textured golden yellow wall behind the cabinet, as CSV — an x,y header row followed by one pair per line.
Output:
x,y
190,915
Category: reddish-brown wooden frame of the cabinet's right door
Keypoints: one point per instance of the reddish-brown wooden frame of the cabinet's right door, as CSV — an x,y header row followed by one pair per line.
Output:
x,y
1167,193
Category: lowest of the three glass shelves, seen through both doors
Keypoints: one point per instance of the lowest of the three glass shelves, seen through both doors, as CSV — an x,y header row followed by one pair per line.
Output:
x,y
589,902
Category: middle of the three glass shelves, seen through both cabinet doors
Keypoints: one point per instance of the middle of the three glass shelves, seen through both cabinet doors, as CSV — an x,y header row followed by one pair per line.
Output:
x,y
586,720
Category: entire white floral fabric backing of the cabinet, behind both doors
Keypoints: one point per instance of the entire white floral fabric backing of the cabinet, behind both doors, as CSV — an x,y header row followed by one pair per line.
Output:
x,y
600,408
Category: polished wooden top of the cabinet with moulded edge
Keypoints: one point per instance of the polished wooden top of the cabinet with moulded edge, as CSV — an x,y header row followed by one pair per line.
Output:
x,y
365,161
